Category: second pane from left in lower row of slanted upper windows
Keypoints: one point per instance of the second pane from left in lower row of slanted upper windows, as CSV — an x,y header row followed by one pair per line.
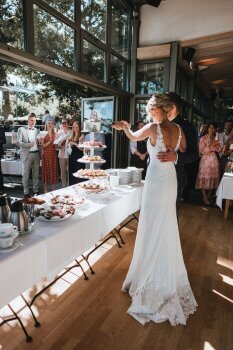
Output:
x,y
54,40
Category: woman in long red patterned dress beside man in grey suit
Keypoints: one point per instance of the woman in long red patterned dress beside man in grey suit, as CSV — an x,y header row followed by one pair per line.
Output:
x,y
49,158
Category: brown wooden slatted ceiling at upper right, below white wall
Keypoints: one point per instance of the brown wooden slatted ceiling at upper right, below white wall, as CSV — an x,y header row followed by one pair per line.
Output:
x,y
214,57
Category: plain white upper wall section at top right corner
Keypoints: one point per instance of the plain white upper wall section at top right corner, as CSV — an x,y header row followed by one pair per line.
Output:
x,y
176,20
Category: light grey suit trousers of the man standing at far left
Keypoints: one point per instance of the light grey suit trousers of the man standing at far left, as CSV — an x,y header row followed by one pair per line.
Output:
x,y
32,162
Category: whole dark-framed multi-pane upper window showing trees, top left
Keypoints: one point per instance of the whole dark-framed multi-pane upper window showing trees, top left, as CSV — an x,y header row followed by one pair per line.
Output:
x,y
91,37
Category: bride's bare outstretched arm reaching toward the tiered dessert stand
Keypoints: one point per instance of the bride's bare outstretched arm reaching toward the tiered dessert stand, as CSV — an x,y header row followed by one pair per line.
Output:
x,y
138,135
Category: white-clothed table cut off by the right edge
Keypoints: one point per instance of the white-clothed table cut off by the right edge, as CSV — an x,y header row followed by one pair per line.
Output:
x,y
225,191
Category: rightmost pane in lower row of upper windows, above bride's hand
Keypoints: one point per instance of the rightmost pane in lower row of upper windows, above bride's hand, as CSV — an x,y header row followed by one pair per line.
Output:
x,y
119,73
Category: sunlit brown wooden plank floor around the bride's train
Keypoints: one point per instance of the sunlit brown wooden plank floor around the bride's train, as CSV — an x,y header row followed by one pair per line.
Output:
x,y
92,314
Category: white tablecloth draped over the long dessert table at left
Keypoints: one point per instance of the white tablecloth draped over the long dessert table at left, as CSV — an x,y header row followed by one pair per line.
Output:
x,y
53,245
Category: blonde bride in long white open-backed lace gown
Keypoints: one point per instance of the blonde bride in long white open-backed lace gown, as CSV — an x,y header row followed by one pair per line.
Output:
x,y
157,280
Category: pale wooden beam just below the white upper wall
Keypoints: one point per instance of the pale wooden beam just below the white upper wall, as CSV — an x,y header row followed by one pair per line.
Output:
x,y
152,52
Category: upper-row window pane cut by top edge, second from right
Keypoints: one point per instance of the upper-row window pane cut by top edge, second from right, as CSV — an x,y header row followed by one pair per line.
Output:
x,y
93,14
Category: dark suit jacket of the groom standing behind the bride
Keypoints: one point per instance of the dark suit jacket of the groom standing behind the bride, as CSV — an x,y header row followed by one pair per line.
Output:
x,y
191,154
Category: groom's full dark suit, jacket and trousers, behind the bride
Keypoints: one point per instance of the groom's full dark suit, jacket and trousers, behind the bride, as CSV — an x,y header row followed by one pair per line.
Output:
x,y
190,156
